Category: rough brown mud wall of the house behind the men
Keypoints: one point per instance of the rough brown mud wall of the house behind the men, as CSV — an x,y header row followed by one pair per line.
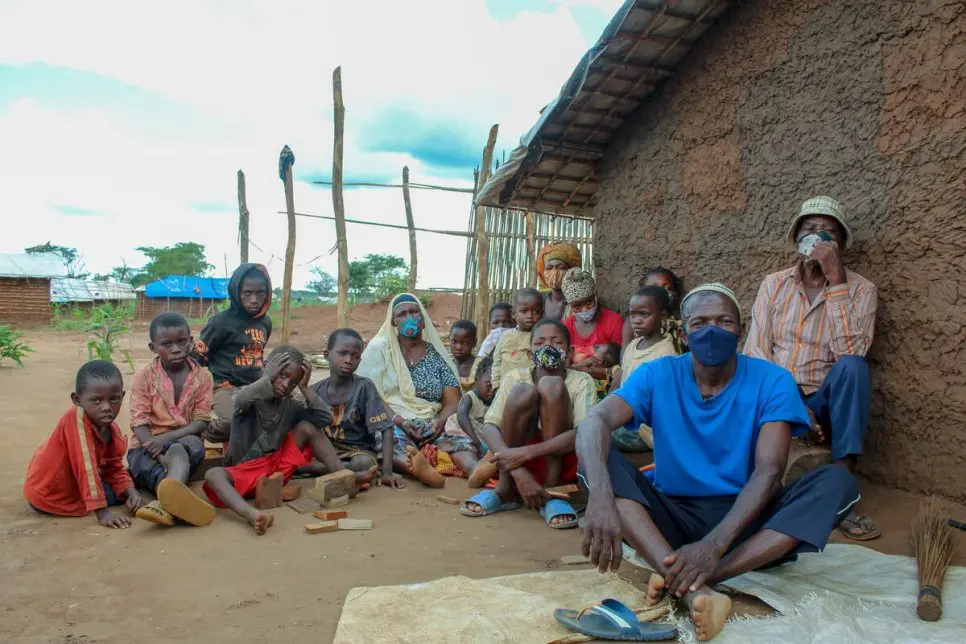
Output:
x,y
862,100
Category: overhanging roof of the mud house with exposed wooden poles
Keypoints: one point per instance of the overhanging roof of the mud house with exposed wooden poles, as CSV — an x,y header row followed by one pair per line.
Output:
x,y
554,169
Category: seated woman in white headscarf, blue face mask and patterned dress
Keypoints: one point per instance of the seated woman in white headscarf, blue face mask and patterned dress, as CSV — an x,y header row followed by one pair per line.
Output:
x,y
419,382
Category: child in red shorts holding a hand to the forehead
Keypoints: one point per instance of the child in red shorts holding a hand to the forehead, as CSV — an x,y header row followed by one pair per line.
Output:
x,y
272,433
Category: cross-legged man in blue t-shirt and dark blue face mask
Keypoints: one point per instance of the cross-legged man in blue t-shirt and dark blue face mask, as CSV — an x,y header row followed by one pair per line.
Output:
x,y
715,507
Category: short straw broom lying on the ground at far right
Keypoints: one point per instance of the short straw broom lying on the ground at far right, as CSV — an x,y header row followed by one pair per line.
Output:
x,y
932,546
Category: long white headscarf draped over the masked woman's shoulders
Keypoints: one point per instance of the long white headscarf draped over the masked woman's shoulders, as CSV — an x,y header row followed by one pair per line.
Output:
x,y
384,364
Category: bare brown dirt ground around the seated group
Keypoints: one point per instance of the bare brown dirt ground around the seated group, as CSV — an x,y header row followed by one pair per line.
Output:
x,y
70,580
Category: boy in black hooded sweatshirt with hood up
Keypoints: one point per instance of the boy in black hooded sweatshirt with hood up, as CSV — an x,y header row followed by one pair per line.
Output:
x,y
232,344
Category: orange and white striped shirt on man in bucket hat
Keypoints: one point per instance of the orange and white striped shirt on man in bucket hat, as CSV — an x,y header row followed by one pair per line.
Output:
x,y
808,337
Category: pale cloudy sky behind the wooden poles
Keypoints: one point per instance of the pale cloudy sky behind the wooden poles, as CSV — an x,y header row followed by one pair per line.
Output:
x,y
123,124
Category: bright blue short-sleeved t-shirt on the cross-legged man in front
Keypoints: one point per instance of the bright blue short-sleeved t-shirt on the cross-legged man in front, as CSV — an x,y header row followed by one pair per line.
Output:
x,y
707,447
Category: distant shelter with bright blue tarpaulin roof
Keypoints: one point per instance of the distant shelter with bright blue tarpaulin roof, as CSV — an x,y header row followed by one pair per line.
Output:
x,y
193,297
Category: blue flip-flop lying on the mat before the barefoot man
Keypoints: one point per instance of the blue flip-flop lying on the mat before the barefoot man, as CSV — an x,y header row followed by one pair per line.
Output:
x,y
611,620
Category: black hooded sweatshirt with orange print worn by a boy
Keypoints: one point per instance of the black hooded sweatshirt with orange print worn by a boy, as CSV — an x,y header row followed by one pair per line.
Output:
x,y
232,344
